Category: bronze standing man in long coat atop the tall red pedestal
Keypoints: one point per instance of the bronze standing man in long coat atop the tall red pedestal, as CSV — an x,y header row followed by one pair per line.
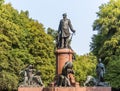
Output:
x,y
63,31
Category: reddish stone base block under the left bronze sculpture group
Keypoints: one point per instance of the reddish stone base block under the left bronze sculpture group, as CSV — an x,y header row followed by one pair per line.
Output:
x,y
30,88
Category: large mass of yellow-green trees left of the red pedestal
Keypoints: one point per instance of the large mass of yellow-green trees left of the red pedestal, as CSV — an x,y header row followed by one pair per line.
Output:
x,y
23,41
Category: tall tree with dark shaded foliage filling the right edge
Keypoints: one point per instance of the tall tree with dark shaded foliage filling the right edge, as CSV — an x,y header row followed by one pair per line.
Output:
x,y
106,43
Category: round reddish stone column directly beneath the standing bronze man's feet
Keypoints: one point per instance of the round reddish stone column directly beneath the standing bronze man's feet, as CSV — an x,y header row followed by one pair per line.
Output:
x,y
62,55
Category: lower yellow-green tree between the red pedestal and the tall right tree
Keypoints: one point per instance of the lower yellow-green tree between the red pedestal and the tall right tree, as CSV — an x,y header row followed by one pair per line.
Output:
x,y
84,65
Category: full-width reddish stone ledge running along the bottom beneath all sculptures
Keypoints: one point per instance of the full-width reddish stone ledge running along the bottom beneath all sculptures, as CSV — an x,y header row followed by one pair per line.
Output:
x,y
64,89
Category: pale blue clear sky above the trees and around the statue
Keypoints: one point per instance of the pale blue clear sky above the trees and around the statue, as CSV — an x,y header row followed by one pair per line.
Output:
x,y
82,14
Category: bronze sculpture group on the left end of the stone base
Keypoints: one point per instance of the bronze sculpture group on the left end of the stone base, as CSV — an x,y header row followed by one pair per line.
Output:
x,y
29,78
